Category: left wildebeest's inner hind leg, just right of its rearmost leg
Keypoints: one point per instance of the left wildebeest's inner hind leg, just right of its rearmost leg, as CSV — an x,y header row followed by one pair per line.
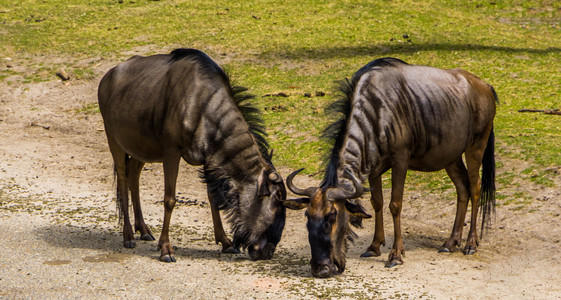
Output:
x,y
134,167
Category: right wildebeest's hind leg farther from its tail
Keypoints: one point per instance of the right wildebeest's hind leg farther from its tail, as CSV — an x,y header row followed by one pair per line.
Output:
x,y
458,173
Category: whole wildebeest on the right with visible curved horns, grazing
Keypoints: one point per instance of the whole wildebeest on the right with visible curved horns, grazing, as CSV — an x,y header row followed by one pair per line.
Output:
x,y
399,116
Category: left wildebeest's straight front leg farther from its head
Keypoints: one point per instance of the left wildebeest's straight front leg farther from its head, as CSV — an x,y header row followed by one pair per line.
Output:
x,y
171,166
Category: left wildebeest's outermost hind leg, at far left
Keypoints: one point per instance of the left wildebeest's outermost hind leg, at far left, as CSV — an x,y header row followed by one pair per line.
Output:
x,y
119,157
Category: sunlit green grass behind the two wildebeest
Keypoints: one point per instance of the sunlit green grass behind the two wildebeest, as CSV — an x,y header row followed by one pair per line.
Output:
x,y
299,47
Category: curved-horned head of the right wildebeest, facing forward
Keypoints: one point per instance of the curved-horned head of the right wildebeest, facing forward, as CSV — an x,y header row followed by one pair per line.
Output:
x,y
329,212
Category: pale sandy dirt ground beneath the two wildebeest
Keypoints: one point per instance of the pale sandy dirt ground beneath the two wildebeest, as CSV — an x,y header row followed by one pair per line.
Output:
x,y
61,236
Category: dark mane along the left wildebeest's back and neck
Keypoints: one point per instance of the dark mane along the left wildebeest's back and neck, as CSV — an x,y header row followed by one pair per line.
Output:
x,y
250,113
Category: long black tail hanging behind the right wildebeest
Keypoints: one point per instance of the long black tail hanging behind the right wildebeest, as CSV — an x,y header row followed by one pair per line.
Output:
x,y
487,200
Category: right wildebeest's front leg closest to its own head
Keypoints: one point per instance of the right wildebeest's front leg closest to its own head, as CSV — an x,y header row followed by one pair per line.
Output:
x,y
377,200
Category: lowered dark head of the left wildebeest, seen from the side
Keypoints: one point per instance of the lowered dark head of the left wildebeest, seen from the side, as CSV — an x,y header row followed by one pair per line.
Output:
x,y
259,217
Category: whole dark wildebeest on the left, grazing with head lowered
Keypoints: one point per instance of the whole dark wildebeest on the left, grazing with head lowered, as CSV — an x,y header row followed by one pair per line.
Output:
x,y
162,108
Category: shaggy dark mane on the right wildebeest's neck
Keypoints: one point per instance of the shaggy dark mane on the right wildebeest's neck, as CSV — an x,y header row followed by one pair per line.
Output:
x,y
335,132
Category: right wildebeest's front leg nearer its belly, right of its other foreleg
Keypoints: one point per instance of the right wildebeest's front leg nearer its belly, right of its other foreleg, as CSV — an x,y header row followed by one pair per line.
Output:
x,y
399,172
